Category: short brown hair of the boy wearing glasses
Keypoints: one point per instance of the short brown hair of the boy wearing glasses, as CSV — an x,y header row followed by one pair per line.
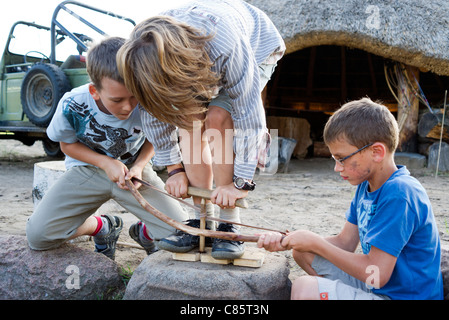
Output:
x,y
362,122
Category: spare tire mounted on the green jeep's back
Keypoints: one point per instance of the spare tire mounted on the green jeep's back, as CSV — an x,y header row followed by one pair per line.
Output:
x,y
42,88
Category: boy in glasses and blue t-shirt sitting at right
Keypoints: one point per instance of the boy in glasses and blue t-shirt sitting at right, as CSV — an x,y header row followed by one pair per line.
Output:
x,y
390,216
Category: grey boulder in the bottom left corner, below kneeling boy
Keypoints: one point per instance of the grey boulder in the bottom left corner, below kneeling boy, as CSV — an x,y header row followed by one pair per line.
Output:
x,y
66,273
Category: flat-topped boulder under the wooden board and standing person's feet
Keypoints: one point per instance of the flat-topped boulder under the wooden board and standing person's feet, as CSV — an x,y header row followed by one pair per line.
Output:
x,y
159,277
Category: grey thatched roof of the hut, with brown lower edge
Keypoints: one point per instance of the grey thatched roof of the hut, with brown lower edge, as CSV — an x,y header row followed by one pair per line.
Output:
x,y
415,32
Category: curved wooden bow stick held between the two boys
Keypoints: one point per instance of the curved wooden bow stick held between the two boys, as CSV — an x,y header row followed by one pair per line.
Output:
x,y
180,226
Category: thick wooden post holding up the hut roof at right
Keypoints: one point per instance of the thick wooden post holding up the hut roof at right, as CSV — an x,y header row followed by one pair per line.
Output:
x,y
408,110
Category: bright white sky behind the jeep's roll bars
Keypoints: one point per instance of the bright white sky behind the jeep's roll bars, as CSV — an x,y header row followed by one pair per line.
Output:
x,y
41,12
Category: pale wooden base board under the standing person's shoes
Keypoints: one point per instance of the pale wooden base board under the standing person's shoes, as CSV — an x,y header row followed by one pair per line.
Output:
x,y
252,257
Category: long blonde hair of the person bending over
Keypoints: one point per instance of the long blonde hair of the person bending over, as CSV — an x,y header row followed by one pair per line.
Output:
x,y
165,65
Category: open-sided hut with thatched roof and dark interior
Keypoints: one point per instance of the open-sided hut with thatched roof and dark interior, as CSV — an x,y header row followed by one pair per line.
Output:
x,y
339,50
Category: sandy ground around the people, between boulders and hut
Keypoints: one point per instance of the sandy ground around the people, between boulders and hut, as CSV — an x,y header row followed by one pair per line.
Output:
x,y
310,196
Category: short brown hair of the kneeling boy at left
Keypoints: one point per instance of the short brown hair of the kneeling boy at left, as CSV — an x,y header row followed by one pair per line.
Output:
x,y
102,61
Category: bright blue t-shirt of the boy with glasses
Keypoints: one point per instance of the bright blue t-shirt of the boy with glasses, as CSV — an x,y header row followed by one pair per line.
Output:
x,y
398,219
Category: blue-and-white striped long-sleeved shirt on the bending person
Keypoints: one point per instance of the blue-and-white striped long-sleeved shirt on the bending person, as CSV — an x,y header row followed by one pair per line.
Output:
x,y
244,38
